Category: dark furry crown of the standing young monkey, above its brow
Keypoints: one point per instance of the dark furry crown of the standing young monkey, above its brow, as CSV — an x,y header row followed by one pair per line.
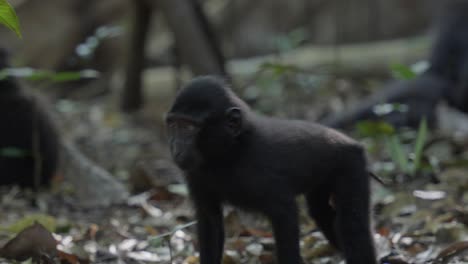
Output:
x,y
207,96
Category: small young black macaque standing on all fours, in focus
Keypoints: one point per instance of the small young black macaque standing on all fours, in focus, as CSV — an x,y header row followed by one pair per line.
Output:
x,y
231,155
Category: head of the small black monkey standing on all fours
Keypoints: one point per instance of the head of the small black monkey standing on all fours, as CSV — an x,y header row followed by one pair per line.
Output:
x,y
204,122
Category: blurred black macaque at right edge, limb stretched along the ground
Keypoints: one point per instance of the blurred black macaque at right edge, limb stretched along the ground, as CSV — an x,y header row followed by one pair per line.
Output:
x,y
446,79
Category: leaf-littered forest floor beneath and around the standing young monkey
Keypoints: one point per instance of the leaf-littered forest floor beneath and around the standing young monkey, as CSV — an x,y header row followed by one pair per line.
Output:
x,y
420,217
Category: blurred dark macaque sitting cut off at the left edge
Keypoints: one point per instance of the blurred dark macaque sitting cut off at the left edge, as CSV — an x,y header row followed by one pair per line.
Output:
x,y
28,139
